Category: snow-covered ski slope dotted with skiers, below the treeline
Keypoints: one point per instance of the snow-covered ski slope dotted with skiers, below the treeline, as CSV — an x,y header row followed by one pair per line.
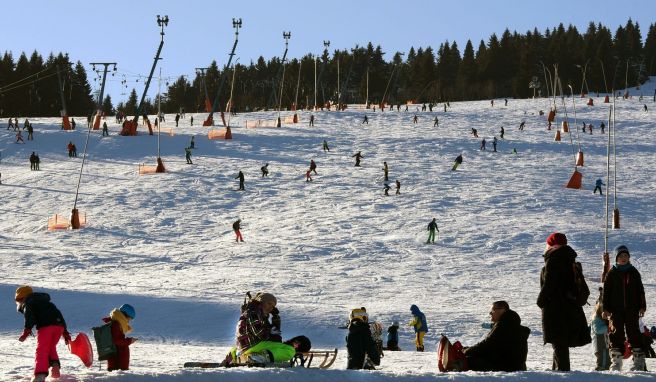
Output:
x,y
164,243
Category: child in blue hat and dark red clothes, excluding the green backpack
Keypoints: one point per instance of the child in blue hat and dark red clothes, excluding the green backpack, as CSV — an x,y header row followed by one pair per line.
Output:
x,y
120,319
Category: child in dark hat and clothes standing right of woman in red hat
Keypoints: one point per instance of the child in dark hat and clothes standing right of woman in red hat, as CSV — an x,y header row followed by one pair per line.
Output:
x,y
624,303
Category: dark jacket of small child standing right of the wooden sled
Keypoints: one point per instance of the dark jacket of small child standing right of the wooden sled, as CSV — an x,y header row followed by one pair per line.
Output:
x,y
360,344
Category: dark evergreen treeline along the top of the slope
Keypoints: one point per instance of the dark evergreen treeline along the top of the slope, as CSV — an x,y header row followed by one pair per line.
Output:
x,y
500,67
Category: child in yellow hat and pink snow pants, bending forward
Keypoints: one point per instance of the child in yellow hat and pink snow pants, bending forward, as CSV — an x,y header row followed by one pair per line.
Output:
x,y
50,325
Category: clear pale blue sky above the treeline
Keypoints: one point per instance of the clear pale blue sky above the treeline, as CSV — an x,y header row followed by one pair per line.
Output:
x,y
200,31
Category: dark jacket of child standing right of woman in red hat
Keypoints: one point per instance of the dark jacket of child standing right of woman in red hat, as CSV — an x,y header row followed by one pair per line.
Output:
x,y
623,290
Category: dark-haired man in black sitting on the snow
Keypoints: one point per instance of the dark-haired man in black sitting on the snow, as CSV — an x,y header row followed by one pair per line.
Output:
x,y
505,347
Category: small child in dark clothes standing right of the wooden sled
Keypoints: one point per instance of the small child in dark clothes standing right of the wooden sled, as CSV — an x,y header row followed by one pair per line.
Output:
x,y
360,345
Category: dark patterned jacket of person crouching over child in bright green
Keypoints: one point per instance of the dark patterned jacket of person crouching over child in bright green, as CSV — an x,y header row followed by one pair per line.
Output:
x,y
254,327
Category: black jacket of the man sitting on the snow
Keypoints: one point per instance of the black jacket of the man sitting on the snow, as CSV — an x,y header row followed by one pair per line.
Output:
x,y
505,347
